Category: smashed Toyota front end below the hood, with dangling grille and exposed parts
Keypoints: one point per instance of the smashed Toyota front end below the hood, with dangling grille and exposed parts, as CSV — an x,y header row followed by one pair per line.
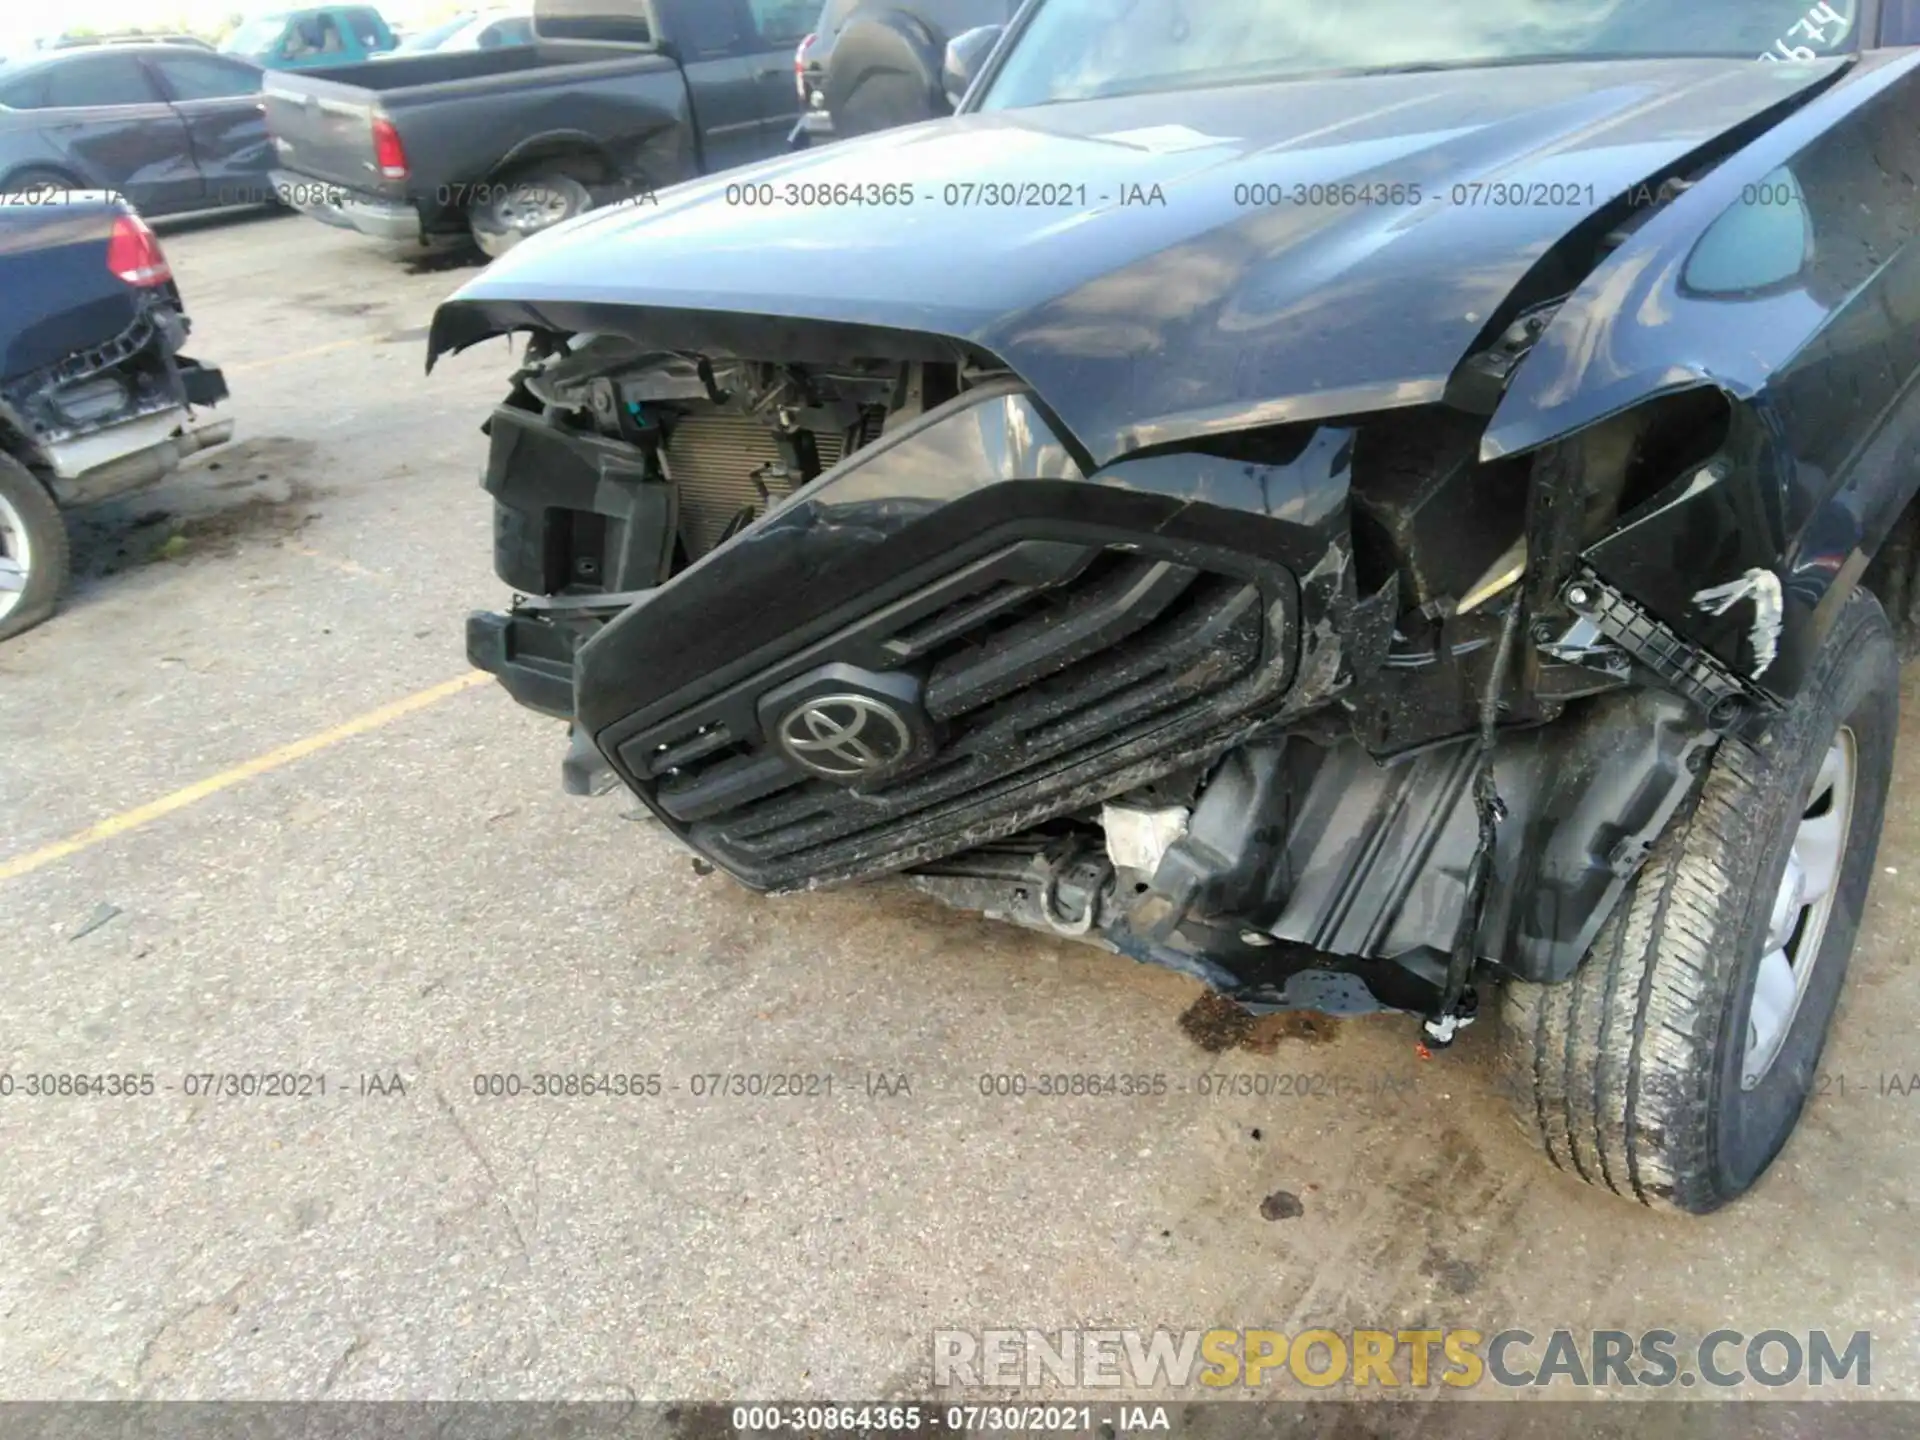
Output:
x,y
1326,715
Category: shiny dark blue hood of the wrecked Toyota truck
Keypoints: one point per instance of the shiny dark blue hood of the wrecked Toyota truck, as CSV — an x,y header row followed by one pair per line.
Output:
x,y
1113,254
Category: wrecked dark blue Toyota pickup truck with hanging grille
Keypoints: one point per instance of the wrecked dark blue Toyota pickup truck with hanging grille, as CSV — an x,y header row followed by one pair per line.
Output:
x,y
1399,506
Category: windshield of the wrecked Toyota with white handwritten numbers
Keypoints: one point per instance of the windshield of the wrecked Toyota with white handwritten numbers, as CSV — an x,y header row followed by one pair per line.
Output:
x,y
1086,49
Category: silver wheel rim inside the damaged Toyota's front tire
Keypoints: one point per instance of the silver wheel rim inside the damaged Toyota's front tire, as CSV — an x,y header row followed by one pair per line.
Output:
x,y
1802,909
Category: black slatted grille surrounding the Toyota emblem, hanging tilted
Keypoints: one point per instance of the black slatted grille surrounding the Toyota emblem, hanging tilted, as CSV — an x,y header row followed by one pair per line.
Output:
x,y
1036,663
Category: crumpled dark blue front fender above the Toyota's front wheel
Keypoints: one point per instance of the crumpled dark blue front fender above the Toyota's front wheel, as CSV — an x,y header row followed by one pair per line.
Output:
x,y
1815,350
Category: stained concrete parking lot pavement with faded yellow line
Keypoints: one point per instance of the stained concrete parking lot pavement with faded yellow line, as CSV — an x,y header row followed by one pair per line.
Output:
x,y
256,819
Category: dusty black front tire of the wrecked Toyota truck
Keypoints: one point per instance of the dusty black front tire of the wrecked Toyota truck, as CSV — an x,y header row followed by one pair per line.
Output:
x,y
1637,1074
